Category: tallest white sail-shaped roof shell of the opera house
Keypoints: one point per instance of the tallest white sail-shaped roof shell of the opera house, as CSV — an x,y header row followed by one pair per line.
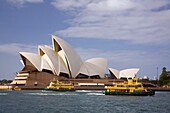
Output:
x,y
70,57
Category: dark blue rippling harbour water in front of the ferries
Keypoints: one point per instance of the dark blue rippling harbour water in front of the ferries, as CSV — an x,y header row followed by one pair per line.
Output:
x,y
81,102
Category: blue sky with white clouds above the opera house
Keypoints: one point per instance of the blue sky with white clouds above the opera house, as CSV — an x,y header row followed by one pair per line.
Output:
x,y
129,33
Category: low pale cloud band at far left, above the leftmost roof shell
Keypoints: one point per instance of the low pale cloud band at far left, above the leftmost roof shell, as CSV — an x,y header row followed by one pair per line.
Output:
x,y
15,48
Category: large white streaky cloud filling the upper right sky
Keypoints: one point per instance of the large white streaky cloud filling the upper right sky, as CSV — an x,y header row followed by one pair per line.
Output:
x,y
137,21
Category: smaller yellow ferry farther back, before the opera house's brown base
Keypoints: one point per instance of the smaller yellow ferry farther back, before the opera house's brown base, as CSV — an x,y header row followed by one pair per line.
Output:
x,y
60,86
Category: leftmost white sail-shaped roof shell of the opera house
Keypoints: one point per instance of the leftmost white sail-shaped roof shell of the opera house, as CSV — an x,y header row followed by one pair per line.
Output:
x,y
33,58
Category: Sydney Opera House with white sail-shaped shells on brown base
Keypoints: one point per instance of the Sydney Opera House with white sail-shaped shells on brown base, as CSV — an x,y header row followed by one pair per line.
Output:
x,y
62,62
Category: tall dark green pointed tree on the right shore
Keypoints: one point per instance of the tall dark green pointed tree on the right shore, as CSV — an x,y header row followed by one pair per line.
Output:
x,y
163,77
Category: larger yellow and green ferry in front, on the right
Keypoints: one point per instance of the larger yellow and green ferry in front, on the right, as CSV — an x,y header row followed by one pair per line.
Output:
x,y
131,87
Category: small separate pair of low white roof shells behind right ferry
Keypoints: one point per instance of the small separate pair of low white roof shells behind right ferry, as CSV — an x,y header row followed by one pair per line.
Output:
x,y
127,73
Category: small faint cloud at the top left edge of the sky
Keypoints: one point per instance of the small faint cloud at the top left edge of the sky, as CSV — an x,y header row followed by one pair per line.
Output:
x,y
20,3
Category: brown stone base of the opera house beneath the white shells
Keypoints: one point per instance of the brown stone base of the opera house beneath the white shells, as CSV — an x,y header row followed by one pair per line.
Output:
x,y
40,80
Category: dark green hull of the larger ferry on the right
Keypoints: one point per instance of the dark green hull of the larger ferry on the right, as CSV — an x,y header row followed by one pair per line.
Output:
x,y
149,93
